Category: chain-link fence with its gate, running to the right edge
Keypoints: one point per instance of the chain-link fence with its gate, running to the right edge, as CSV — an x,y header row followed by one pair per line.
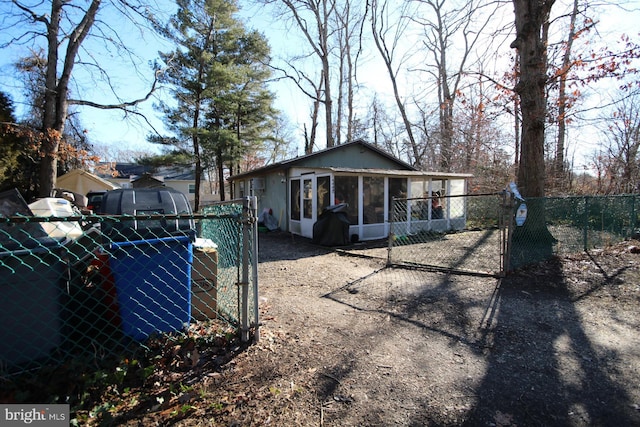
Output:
x,y
480,233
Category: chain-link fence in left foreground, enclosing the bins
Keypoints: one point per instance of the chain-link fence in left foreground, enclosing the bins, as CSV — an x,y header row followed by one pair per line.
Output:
x,y
73,287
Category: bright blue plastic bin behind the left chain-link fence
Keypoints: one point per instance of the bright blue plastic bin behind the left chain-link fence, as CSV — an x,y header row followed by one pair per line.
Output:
x,y
153,283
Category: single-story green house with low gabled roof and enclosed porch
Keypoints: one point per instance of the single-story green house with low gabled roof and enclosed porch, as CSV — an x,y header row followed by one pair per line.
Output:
x,y
363,176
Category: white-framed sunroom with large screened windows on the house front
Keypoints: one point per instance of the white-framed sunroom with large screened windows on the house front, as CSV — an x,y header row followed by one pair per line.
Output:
x,y
423,200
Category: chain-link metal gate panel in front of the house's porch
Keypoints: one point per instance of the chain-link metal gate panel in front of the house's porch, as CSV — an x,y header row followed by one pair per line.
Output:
x,y
462,234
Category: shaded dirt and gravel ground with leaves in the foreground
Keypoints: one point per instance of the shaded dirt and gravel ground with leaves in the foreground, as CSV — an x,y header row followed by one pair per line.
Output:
x,y
346,341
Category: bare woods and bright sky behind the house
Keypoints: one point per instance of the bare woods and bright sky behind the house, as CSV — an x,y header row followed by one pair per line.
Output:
x,y
228,86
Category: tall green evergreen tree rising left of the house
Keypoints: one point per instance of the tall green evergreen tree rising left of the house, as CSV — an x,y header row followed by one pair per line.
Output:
x,y
218,75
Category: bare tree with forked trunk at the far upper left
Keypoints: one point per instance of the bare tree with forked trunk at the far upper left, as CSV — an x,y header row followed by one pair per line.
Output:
x,y
61,31
